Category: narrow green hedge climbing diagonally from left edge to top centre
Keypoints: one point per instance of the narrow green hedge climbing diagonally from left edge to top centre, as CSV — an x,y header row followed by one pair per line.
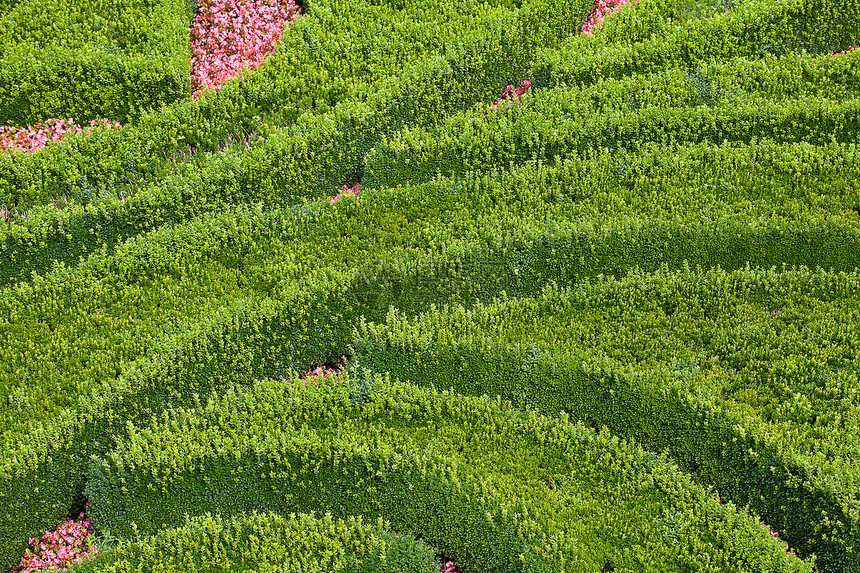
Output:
x,y
311,158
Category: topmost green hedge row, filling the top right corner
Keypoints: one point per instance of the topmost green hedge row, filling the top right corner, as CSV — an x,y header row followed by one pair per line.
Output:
x,y
633,41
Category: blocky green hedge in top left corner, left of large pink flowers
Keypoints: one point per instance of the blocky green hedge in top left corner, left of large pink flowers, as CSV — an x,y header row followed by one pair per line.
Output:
x,y
88,60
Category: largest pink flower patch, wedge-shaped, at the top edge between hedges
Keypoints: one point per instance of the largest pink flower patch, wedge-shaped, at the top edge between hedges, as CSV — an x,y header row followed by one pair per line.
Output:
x,y
229,36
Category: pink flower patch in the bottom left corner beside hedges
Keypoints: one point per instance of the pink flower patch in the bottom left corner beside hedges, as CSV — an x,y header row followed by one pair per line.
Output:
x,y
60,549
